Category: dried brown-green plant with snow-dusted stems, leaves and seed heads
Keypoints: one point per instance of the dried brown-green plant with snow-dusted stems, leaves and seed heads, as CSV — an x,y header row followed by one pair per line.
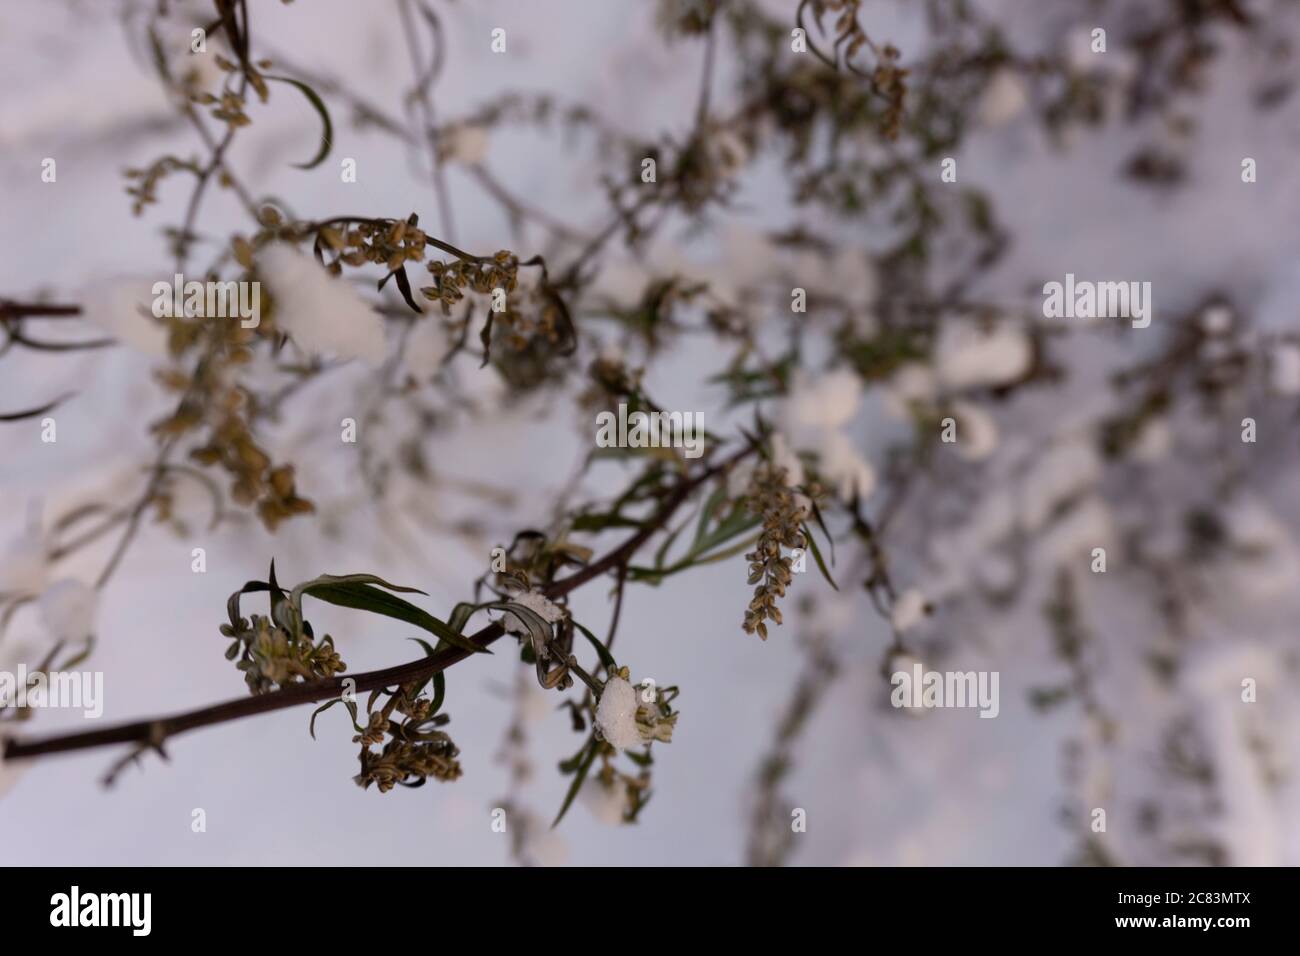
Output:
x,y
877,275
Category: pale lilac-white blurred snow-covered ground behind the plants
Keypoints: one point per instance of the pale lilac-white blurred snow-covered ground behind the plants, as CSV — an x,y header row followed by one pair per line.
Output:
x,y
879,788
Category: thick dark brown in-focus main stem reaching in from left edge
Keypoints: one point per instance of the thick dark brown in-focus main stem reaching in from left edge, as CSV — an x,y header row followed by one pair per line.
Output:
x,y
154,733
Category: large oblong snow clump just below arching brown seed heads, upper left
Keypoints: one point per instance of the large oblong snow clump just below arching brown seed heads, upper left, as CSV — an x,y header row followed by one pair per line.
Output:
x,y
322,314
